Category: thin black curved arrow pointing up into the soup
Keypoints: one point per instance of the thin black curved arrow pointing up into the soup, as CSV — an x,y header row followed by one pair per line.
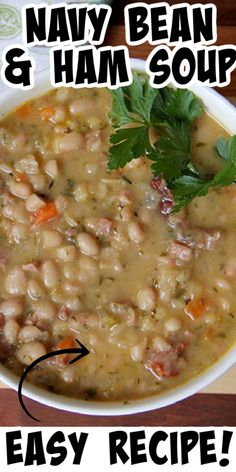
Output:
x,y
82,351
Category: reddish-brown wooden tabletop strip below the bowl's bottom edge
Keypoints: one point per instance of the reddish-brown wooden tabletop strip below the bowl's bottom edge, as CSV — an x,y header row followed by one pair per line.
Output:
x,y
199,410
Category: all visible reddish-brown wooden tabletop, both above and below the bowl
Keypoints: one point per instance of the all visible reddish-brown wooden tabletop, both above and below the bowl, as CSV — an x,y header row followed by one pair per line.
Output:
x,y
199,410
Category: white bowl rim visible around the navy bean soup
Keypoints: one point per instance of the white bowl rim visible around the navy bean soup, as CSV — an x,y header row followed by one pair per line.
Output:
x,y
222,111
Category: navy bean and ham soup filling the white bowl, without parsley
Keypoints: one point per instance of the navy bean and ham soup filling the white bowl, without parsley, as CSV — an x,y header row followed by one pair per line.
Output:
x,y
88,254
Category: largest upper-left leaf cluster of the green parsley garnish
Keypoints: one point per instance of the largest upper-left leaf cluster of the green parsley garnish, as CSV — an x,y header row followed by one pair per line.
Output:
x,y
139,107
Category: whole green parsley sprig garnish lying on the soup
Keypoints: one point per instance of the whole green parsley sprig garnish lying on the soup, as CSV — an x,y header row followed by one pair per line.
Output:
x,y
138,108
